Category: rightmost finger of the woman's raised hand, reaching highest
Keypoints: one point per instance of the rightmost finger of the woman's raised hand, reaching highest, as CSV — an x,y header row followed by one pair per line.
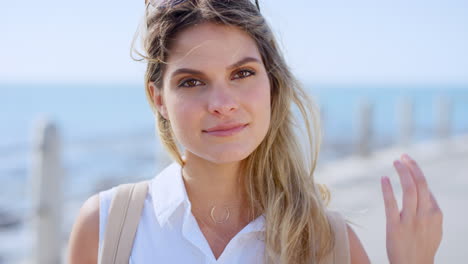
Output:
x,y
424,199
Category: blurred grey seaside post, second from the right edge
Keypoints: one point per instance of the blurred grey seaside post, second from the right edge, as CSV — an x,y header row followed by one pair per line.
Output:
x,y
405,114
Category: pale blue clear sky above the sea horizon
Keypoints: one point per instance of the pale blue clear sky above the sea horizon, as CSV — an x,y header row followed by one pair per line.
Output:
x,y
334,41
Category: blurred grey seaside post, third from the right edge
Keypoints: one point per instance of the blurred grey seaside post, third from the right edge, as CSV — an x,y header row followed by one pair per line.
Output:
x,y
364,128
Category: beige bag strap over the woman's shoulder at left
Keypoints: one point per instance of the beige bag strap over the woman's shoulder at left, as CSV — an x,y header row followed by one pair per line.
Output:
x,y
122,223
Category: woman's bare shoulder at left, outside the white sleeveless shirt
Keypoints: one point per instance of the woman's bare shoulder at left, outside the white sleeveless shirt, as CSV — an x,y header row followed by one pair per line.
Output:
x,y
84,237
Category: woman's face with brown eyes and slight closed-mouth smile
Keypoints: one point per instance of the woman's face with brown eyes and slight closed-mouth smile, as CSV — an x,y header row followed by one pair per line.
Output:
x,y
216,93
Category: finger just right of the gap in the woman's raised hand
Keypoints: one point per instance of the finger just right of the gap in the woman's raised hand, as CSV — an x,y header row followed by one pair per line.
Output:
x,y
410,201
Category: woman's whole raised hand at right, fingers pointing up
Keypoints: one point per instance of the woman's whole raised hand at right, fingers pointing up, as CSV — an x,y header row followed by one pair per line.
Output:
x,y
414,234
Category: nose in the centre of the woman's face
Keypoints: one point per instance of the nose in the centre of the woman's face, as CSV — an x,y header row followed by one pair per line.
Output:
x,y
222,101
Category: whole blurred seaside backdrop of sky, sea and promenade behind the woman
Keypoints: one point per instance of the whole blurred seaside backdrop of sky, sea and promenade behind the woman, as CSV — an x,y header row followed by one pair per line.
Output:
x,y
389,77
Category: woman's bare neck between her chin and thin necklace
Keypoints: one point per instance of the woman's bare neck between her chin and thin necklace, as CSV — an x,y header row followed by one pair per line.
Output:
x,y
209,184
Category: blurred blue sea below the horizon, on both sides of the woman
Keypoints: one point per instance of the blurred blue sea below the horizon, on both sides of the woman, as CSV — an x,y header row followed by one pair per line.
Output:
x,y
108,130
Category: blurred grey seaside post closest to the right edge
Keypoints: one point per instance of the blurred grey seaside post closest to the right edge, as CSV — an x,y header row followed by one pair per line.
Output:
x,y
443,114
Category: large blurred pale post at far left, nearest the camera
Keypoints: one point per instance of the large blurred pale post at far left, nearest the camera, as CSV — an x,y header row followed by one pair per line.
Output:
x,y
47,197
